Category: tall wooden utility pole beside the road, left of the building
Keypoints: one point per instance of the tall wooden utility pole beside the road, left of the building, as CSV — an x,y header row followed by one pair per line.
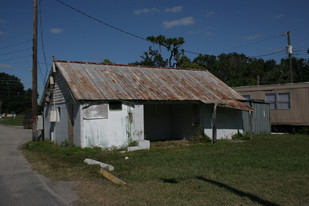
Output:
x,y
34,71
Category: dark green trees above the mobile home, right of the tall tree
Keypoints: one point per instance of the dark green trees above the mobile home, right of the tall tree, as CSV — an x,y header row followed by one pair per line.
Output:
x,y
239,70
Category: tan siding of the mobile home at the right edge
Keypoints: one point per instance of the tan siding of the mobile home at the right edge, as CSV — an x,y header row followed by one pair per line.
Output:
x,y
298,114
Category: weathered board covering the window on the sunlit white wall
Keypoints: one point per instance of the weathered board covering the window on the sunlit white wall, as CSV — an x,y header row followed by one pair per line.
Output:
x,y
95,112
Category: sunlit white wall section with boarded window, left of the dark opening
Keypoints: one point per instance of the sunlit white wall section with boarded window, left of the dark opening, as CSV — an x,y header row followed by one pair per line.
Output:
x,y
113,131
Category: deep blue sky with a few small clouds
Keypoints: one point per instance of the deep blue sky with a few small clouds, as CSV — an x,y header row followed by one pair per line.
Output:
x,y
210,27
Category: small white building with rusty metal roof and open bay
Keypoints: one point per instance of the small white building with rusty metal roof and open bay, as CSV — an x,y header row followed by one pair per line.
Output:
x,y
90,104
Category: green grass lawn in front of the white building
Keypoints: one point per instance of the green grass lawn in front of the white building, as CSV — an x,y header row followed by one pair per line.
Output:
x,y
268,170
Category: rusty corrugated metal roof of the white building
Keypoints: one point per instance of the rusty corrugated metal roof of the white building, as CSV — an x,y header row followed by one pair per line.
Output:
x,y
92,81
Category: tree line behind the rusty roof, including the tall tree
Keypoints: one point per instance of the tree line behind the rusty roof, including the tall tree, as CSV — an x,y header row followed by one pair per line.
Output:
x,y
234,69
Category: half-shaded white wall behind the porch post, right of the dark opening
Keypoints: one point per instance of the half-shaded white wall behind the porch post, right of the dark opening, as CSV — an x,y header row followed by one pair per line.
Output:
x,y
228,121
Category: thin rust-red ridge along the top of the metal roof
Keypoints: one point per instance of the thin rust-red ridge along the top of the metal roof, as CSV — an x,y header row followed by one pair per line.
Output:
x,y
126,65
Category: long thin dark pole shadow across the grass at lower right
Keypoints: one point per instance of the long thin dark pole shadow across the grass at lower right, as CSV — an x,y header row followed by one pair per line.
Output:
x,y
252,197
